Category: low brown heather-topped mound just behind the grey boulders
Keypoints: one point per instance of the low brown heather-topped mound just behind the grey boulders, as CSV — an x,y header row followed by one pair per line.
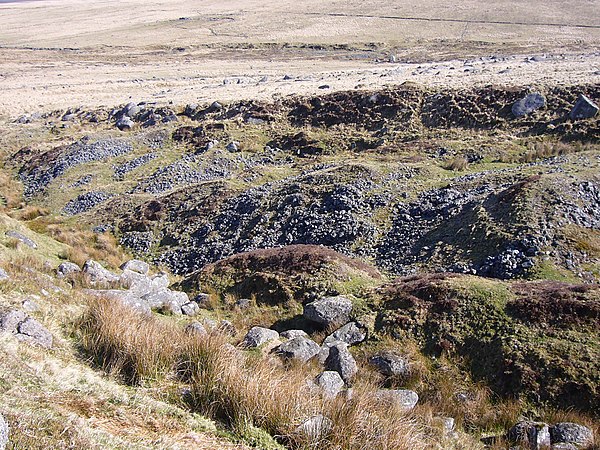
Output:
x,y
278,275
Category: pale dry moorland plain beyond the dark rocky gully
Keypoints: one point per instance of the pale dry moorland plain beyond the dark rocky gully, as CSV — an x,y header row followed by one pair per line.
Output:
x,y
183,51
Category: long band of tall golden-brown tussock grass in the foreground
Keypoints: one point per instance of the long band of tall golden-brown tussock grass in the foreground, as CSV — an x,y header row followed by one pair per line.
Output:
x,y
241,388
